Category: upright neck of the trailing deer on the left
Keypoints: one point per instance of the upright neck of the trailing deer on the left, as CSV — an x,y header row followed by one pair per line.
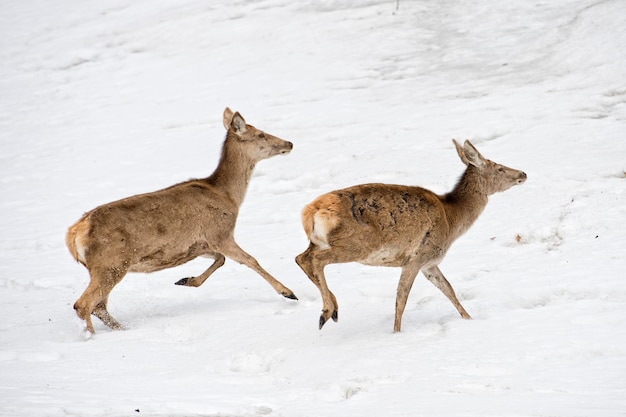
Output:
x,y
234,170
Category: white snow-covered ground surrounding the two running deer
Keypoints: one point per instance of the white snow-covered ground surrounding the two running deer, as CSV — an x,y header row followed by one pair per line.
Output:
x,y
101,100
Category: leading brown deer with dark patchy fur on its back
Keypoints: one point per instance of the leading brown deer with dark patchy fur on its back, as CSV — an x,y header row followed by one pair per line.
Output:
x,y
398,226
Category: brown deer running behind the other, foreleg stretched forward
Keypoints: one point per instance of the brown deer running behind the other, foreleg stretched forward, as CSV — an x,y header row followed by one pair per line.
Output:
x,y
166,228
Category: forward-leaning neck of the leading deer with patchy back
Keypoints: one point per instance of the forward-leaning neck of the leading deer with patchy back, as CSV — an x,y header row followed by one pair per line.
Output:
x,y
466,201
